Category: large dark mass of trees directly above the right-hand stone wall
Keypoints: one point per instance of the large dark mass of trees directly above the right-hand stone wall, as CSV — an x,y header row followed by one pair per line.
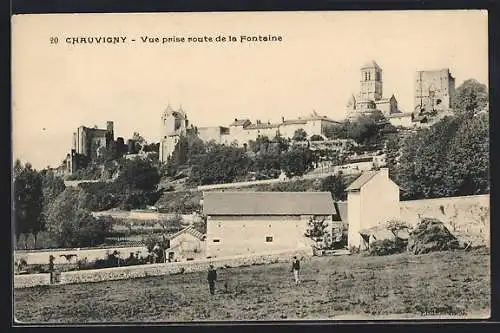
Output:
x,y
451,158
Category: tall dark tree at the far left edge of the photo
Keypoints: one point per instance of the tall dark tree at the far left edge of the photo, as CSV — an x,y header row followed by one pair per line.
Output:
x,y
28,200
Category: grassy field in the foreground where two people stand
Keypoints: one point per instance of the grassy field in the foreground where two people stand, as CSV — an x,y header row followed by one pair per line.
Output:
x,y
342,287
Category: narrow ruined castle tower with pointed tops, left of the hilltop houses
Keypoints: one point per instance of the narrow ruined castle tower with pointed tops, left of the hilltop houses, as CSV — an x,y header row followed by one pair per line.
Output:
x,y
174,126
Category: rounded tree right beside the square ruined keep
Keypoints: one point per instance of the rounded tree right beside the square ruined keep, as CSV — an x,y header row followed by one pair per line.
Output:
x,y
471,96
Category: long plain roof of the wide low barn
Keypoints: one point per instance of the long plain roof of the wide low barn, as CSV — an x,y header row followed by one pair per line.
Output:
x,y
268,203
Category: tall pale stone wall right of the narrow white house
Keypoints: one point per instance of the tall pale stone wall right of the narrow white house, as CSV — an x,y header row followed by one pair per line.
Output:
x,y
467,217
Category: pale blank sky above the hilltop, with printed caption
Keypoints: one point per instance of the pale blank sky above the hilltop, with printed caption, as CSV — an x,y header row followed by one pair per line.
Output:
x,y
58,87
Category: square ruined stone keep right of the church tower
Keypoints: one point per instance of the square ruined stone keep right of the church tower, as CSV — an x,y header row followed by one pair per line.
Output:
x,y
434,90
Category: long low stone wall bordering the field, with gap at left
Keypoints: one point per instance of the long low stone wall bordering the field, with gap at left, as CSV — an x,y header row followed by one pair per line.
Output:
x,y
130,272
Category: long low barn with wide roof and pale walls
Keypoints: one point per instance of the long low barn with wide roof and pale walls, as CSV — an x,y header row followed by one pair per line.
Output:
x,y
241,223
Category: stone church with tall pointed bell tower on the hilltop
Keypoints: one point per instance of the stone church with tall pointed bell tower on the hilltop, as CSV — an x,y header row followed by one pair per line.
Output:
x,y
370,97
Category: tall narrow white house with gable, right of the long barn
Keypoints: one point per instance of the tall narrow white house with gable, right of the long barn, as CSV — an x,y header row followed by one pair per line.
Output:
x,y
372,199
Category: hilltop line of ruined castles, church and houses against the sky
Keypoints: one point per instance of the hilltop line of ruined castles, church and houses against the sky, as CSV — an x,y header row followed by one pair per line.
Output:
x,y
434,92
